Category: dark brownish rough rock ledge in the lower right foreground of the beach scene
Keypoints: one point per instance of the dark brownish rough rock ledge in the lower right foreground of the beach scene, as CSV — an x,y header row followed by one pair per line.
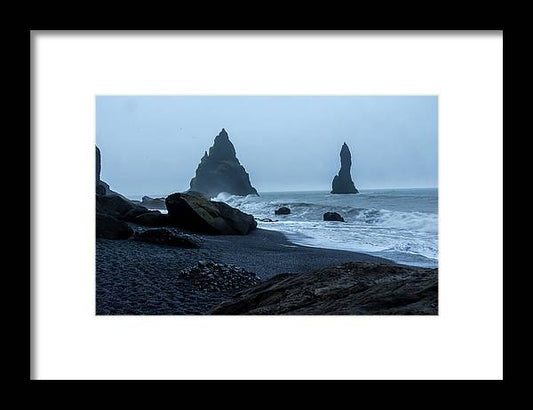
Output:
x,y
358,288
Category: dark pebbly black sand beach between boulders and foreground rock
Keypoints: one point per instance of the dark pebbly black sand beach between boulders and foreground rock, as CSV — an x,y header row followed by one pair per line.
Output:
x,y
138,278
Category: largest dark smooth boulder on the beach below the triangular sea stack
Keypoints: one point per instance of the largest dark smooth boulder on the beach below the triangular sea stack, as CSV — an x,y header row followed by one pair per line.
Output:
x,y
196,212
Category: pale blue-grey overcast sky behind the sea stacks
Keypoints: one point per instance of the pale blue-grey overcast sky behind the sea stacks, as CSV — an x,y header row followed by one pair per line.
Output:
x,y
152,145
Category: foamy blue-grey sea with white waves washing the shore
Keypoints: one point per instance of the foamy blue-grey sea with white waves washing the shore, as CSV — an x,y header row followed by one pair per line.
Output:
x,y
397,224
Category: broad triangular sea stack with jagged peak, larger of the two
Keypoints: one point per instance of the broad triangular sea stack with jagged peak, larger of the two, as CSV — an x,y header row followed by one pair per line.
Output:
x,y
220,171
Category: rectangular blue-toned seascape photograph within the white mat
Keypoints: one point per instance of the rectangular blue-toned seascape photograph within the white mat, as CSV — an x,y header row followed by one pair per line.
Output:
x,y
266,205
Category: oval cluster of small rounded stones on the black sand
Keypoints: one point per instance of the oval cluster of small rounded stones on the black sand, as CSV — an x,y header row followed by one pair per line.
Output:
x,y
216,277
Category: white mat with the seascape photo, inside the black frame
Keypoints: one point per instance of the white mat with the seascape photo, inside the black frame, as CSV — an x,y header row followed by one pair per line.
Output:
x,y
267,205
